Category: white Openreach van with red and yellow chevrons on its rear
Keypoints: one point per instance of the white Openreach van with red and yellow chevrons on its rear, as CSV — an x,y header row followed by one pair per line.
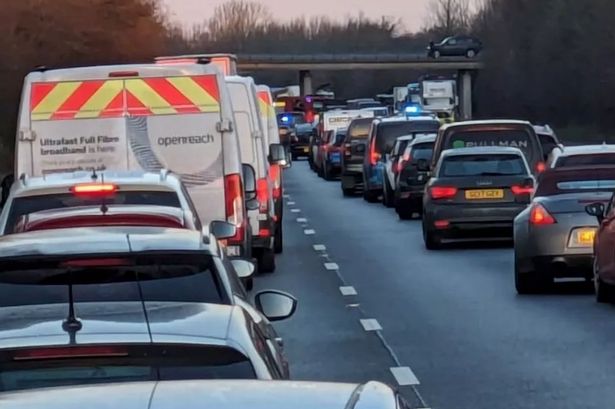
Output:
x,y
138,117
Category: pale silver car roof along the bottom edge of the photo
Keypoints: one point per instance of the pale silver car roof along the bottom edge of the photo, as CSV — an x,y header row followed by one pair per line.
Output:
x,y
209,394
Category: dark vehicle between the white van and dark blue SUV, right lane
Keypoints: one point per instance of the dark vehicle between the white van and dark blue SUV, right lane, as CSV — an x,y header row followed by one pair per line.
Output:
x,y
353,150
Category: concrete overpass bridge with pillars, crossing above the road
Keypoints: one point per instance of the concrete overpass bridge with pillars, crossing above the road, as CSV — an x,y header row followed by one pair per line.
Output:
x,y
304,64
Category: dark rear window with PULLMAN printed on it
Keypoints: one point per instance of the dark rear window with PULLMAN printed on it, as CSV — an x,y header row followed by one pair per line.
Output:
x,y
516,138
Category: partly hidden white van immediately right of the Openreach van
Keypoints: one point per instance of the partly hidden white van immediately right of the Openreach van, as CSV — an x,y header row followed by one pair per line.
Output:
x,y
254,153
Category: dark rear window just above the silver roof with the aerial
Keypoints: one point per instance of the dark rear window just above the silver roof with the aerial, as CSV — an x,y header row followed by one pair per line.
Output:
x,y
169,278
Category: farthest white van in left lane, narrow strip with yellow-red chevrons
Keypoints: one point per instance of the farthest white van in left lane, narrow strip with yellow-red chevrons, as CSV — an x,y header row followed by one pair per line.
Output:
x,y
269,123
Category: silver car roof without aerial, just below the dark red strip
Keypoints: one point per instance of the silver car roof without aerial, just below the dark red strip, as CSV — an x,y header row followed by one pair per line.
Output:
x,y
100,240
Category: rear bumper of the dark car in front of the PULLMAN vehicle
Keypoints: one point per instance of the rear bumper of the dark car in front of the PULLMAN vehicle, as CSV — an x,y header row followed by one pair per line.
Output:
x,y
473,221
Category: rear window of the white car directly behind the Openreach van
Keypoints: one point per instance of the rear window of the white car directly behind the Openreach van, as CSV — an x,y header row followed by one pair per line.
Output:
x,y
22,206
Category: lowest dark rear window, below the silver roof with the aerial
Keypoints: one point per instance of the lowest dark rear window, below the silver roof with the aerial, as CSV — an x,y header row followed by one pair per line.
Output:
x,y
140,363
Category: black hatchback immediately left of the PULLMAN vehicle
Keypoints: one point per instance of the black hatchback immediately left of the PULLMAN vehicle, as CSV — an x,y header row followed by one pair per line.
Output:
x,y
413,175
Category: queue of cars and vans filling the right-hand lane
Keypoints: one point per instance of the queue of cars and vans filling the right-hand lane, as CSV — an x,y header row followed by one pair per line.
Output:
x,y
479,181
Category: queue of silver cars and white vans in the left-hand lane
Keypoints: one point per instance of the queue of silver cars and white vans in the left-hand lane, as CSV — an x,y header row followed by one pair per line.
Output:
x,y
144,200
